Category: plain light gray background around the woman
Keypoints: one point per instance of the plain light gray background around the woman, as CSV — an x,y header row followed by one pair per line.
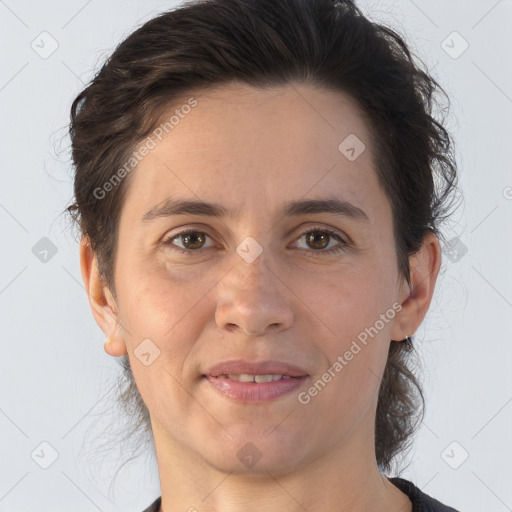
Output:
x,y
56,380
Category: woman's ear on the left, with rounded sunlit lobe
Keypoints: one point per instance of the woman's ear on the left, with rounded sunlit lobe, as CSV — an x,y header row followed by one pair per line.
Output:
x,y
101,300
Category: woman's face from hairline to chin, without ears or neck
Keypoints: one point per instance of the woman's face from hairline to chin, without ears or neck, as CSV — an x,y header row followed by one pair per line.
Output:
x,y
257,282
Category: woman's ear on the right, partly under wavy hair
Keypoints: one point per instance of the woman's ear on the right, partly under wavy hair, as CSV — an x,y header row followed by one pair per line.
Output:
x,y
416,298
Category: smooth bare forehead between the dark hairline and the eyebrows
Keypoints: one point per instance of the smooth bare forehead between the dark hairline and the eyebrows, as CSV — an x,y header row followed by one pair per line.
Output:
x,y
251,145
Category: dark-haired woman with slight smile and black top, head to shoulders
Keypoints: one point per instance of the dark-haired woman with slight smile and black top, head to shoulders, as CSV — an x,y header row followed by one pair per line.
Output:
x,y
259,187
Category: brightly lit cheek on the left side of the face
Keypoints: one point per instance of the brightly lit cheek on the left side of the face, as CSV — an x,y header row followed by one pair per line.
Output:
x,y
164,318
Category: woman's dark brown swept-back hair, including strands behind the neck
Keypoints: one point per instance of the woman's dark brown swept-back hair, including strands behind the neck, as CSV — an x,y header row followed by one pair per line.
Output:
x,y
265,43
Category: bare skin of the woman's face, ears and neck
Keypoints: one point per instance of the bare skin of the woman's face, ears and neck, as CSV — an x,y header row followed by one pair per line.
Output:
x,y
252,150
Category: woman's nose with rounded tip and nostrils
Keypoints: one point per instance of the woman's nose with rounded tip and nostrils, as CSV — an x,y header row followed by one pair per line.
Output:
x,y
253,299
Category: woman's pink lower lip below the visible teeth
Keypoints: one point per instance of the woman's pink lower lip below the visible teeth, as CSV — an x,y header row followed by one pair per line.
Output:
x,y
255,391
